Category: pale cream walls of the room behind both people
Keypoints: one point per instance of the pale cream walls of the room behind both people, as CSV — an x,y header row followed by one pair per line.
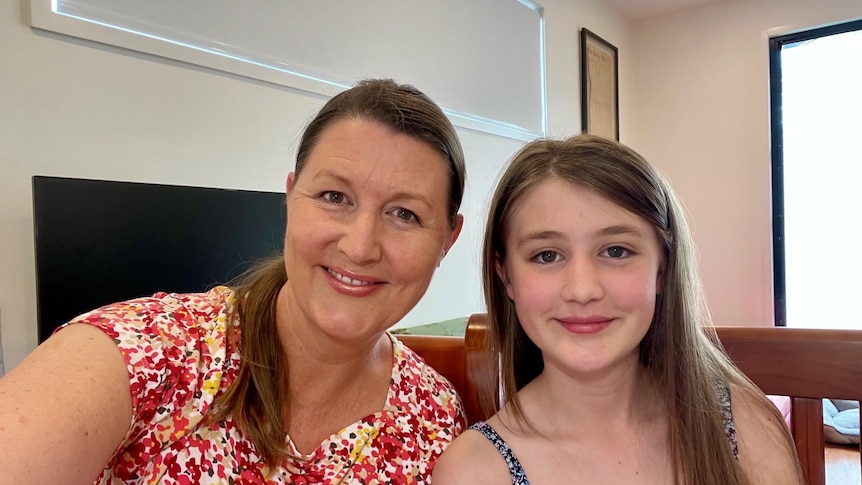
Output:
x,y
694,99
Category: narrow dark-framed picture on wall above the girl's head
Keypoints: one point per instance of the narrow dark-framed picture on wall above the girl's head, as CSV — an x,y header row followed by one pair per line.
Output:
x,y
599,86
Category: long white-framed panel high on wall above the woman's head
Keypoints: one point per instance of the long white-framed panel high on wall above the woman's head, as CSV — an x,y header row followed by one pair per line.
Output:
x,y
467,55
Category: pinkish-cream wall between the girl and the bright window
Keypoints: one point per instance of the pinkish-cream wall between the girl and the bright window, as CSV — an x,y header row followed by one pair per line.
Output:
x,y
701,99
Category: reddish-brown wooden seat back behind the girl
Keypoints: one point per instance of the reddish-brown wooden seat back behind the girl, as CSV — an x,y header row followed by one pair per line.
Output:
x,y
805,364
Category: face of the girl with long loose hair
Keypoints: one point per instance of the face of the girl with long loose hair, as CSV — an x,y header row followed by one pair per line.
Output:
x,y
583,274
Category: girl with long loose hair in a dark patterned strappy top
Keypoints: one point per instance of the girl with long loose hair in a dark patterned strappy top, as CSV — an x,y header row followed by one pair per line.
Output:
x,y
610,368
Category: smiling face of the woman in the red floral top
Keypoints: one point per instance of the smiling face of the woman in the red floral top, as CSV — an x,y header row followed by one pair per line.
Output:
x,y
367,226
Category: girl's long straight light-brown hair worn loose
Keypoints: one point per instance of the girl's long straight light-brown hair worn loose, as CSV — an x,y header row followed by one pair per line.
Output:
x,y
680,352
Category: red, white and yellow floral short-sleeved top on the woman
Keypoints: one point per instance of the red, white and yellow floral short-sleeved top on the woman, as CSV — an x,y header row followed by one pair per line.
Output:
x,y
180,356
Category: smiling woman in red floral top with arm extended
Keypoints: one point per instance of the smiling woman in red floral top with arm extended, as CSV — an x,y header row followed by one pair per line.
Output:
x,y
278,379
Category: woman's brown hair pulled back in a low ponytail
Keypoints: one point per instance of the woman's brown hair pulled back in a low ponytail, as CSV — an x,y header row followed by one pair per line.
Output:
x,y
256,397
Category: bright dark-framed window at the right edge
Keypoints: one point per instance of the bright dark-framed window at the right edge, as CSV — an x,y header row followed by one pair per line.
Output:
x,y
816,107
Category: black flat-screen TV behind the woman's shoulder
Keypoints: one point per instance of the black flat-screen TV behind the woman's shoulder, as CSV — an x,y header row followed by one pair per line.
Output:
x,y
98,242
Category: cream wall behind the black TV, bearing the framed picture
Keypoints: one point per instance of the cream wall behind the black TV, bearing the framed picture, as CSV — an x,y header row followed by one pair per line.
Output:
x,y
71,108
